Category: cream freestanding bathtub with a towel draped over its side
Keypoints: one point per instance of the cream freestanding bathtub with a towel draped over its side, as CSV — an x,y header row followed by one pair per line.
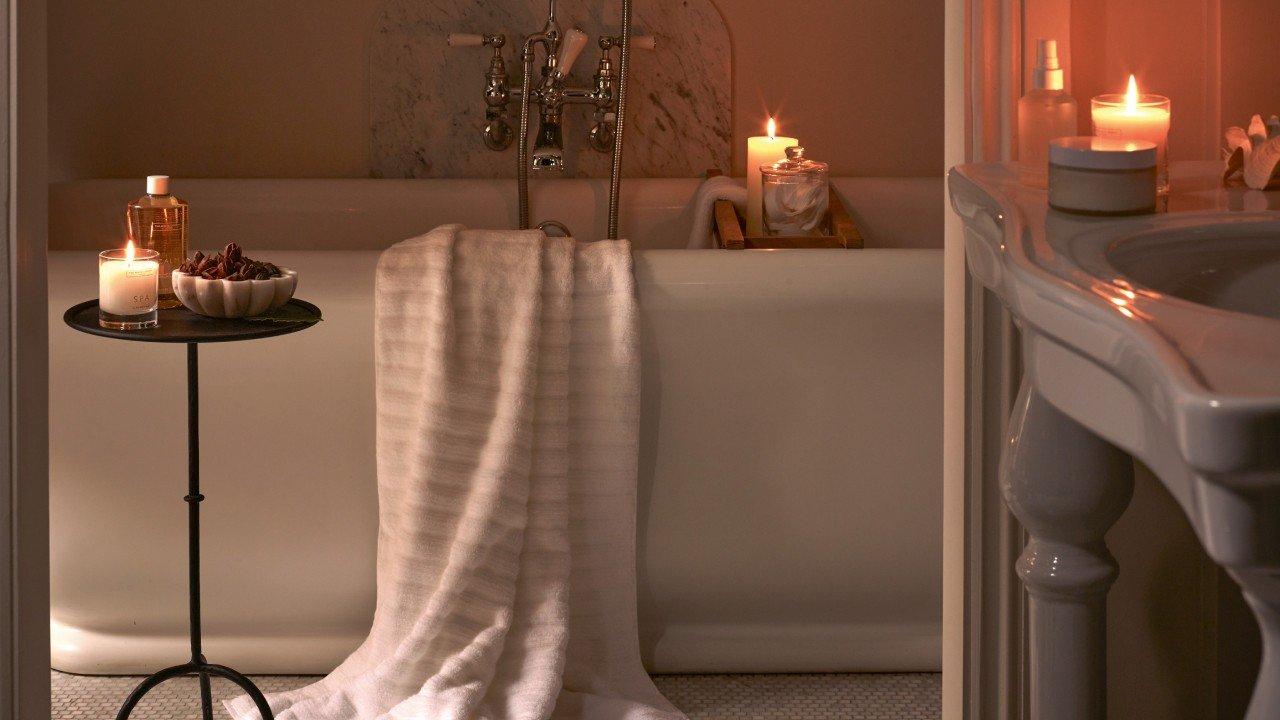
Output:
x,y
790,463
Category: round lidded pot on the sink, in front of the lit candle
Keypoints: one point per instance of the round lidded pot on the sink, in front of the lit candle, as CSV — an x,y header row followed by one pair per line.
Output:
x,y
1103,176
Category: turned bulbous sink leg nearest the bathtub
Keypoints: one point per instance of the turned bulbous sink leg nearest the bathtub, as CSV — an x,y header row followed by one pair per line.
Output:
x,y
1068,487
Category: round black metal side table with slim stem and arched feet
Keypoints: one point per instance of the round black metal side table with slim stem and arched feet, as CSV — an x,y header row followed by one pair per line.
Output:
x,y
180,325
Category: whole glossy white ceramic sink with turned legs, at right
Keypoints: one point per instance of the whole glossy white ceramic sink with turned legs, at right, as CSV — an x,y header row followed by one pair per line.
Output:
x,y
1156,338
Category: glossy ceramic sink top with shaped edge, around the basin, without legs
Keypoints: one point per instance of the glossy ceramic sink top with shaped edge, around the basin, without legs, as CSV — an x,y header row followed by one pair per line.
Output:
x,y
1201,368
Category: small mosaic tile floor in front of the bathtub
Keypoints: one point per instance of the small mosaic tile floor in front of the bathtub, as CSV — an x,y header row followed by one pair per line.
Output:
x,y
711,698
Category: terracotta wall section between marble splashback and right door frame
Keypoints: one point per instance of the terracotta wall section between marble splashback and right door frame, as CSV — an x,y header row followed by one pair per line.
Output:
x,y
860,83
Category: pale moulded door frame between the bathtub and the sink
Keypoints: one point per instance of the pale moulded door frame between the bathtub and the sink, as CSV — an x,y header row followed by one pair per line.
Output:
x,y
982,601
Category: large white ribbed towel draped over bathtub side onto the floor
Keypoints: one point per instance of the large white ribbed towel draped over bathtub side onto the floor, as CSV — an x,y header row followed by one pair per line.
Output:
x,y
508,438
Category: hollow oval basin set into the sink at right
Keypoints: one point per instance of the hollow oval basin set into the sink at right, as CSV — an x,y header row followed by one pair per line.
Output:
x,y
1235,270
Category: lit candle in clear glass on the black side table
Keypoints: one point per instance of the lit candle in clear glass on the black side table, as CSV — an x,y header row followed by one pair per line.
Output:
x,y
127,289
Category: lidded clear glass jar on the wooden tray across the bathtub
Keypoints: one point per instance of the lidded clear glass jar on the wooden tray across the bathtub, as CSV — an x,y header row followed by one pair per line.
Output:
x,y
796,195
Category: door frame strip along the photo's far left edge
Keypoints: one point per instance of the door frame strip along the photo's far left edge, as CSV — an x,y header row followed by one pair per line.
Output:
x,y
25,381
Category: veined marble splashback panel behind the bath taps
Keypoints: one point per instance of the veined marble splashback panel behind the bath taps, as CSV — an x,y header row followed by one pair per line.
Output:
x,y
428,107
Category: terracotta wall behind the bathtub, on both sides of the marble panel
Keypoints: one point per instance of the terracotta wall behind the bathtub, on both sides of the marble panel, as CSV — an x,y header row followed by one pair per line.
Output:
x,y
212,89
